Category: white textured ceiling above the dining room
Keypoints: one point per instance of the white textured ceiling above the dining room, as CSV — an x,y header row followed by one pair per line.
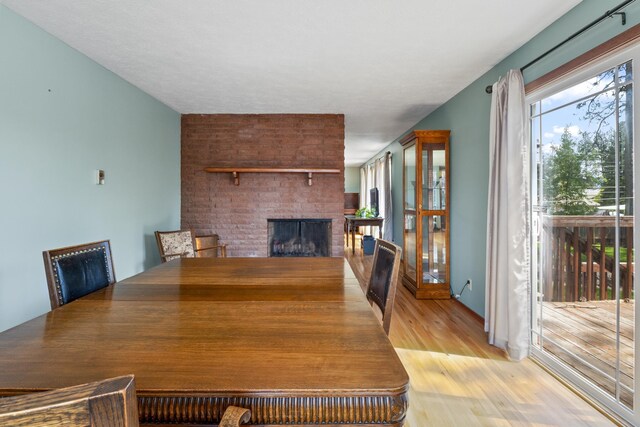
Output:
x,y
384,64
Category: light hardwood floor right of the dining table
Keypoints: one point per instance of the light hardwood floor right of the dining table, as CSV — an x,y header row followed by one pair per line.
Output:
x,y
457,379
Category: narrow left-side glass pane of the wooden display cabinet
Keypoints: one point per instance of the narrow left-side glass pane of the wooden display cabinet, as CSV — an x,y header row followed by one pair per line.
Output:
x,y
410,224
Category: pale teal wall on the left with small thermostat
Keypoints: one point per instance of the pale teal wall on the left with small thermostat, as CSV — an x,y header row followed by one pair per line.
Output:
x,y
61,117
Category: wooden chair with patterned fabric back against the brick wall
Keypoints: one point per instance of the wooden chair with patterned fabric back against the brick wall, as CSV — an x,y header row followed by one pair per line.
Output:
x,y
184,244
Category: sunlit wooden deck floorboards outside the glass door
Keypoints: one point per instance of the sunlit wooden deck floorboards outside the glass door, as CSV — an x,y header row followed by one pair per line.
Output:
x,y
582,334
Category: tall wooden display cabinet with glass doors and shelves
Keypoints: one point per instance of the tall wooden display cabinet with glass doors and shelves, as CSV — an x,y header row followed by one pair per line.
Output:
x,y
426,213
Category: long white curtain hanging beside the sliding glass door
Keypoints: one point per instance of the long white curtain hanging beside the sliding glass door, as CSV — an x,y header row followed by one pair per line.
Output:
x,y
507,309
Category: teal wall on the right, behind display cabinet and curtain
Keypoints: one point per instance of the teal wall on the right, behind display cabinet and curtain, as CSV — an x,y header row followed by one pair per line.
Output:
x,y
467,115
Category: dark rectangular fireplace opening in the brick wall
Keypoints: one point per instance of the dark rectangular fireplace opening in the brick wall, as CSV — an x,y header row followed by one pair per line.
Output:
x,y
299,237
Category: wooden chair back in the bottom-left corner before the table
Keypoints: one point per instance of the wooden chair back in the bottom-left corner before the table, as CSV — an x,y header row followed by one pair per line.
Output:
x,y
109,402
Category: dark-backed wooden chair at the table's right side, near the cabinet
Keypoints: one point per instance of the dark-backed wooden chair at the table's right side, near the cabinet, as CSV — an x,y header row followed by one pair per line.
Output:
x,y
383,282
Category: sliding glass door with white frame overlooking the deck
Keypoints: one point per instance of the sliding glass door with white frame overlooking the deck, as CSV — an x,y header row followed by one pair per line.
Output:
x,y
583,303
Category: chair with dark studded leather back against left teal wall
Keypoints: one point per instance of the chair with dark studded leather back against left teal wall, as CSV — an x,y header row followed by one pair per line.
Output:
x,y
76,271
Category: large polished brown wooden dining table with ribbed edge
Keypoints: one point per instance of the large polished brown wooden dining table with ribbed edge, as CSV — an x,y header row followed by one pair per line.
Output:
x,y
292,339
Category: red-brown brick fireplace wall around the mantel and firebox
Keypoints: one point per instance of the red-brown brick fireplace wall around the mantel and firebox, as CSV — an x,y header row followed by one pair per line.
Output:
x,y
211,202
